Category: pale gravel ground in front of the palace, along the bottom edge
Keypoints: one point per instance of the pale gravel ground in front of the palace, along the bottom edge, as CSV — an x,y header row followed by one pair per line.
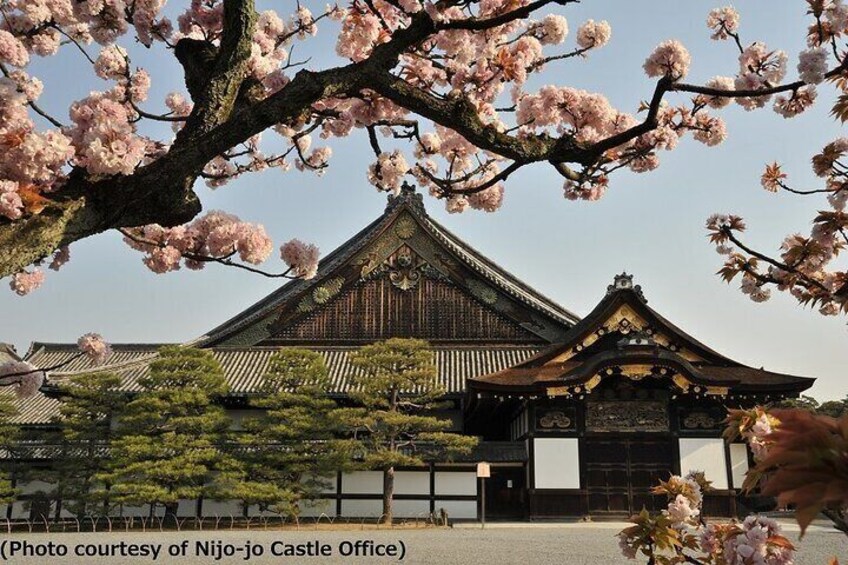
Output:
x,y
589,544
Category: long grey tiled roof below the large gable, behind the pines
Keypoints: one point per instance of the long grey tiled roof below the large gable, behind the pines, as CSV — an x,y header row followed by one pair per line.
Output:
x,y
244,367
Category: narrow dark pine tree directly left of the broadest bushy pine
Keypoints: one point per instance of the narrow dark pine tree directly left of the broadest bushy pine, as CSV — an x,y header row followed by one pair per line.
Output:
x,y
90,403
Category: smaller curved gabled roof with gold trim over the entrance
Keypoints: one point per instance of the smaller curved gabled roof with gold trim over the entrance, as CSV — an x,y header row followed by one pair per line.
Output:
x,y
624,336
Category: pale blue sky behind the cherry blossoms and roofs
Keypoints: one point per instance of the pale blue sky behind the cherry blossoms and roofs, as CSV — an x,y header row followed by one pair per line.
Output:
x,y
651,225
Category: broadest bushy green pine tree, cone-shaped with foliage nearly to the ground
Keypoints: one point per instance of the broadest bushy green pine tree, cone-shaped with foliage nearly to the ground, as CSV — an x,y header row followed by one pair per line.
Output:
x,y
169,447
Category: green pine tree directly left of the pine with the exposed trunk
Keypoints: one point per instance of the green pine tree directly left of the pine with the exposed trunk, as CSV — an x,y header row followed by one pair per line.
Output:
x,y
294,448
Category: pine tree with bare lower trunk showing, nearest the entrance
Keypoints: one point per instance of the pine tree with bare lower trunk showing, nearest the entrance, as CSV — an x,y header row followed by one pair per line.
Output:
x,y
396,388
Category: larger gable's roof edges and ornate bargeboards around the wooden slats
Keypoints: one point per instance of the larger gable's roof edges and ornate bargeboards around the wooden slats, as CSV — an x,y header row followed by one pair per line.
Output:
x,y
404,225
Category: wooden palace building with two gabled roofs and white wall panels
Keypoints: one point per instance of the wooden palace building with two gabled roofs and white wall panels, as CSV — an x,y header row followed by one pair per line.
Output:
x,y
576,416
